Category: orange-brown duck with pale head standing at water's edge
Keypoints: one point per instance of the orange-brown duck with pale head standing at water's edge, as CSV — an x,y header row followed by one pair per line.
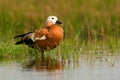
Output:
x,y
46,38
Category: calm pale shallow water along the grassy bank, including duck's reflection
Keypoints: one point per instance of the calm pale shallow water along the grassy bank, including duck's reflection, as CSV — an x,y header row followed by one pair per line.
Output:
x,y
86,68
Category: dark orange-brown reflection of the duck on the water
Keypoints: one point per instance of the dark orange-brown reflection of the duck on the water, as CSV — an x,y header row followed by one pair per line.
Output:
x,y
40,63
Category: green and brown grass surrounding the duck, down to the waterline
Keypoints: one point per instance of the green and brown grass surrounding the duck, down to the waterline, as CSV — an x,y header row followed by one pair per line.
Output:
x,y
91,27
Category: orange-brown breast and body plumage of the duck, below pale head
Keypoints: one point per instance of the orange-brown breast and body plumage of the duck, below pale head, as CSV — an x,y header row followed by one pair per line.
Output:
x,y
54,35
